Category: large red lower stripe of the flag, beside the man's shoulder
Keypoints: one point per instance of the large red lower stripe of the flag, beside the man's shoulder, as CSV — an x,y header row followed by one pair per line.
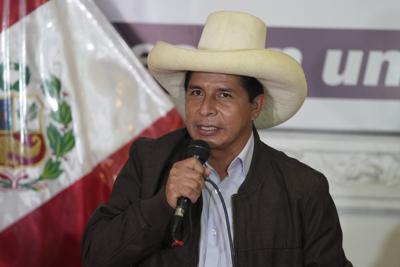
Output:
x,y
50,235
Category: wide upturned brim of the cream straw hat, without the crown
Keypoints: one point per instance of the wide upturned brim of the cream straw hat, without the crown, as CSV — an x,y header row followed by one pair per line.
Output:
x,y
282,77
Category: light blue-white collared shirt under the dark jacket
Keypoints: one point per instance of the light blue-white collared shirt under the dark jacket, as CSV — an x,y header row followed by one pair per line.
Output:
x,y
214,241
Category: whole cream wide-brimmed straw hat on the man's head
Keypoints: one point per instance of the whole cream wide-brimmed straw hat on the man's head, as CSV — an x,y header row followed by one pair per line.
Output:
x,y
234,43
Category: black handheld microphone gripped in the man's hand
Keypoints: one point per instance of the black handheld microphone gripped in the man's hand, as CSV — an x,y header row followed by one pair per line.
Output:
x,y
200,150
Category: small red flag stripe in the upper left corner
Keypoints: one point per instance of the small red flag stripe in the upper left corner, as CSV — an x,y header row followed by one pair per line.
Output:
x,y
13,10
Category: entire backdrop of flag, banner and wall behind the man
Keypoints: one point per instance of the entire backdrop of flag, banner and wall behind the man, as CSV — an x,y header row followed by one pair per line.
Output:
x,y
75,93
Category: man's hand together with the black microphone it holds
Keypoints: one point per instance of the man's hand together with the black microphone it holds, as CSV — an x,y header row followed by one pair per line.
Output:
x,y
185,183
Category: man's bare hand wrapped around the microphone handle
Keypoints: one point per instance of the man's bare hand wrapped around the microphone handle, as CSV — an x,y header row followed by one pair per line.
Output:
x,y
186,179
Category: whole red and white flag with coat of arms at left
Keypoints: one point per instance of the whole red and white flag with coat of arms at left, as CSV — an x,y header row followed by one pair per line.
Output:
x,y
72,99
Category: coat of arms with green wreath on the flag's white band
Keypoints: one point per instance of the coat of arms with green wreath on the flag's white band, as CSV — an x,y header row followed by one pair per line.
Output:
x,y
34,144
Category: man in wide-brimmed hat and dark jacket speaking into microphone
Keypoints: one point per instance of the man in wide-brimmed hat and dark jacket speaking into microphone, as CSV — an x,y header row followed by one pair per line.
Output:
x,y
279,209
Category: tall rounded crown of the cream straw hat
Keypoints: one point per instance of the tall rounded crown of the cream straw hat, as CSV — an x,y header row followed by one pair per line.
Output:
x,y
227,30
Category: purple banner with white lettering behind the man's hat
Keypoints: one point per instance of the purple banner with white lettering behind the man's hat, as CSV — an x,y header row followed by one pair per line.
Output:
x,y
339,63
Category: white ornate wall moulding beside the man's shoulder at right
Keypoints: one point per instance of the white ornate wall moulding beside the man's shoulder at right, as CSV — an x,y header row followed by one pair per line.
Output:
x,y
363,170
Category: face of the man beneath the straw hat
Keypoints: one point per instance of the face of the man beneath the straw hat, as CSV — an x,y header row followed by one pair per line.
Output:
x,y
218,111
